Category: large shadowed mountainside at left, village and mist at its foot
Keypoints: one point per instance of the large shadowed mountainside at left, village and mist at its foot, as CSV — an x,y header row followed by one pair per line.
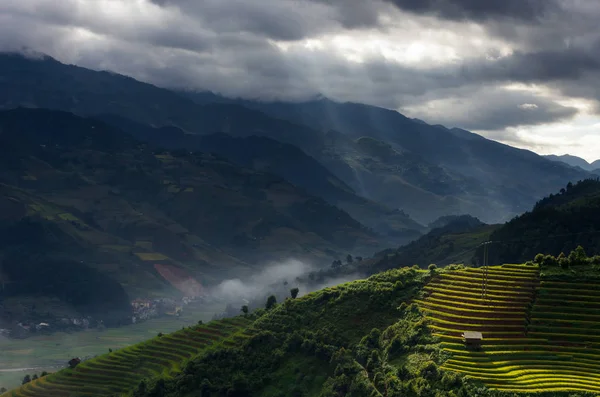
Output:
x,y
87,213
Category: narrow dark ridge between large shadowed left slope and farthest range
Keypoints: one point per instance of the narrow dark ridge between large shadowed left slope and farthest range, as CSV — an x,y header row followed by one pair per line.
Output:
x,y
268,155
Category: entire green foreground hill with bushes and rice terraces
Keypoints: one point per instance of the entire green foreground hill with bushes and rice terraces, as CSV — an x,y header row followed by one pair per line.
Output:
x,y
397,333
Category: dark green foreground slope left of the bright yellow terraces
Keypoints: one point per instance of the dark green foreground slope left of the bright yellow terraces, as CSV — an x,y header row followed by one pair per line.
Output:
x,y
296,339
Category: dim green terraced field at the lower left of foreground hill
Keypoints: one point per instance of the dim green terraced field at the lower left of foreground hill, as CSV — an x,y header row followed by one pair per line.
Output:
x,y
119,372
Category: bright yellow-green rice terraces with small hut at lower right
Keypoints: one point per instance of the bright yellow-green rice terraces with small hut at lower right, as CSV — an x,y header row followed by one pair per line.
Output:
x,y
537,335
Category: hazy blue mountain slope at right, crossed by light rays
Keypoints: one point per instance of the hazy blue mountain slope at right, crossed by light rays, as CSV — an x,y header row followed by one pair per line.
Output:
x,y
491,180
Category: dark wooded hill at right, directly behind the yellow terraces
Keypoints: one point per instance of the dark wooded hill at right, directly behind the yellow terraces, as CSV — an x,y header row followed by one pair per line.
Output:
x,y
558,223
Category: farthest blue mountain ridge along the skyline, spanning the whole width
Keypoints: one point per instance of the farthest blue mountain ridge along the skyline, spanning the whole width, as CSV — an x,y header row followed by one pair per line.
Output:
x,y
424,170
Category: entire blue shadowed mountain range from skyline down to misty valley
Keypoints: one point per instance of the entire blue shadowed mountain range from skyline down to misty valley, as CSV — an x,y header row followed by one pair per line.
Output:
x,y
116,179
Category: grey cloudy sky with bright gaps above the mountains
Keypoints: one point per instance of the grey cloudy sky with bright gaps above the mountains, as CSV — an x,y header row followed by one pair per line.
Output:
x,y
525,72
